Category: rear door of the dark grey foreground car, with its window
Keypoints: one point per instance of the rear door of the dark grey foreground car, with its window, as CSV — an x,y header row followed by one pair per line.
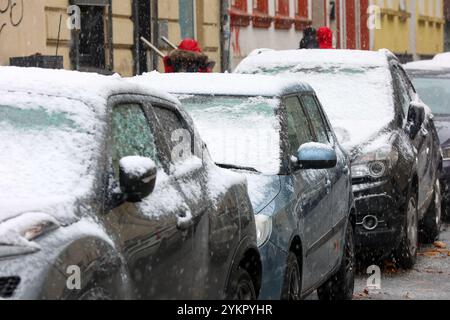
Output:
x,y
187,167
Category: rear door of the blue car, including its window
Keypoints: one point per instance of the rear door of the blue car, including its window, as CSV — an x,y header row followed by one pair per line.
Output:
x,y
338,179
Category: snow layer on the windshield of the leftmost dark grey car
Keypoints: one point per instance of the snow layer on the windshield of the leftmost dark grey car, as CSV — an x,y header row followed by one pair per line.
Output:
x,y
46,151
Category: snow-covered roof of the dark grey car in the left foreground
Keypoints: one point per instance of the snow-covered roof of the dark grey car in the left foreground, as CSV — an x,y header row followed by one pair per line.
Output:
x,y
91,88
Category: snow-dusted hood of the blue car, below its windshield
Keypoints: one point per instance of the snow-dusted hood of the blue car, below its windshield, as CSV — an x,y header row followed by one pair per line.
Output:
x,y
262,189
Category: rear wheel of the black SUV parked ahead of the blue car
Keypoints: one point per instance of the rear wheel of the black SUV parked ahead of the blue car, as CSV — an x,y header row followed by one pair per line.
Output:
x,y
431,224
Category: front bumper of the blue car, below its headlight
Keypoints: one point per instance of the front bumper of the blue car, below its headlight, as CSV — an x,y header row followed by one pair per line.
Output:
x,y
273,265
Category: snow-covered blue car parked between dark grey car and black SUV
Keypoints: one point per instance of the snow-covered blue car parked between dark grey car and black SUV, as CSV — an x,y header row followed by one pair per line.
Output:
x,y
274,132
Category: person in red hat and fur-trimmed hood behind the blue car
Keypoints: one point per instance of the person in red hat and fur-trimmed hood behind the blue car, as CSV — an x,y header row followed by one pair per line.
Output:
x,y
188,58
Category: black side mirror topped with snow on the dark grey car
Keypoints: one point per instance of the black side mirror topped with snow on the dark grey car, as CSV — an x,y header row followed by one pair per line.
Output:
x,y
137,177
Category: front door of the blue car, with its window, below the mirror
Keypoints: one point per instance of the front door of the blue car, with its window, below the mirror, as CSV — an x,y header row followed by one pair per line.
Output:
x,y
311,202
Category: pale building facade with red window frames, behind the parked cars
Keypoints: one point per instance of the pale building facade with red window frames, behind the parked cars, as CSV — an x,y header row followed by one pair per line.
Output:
x,y
275,24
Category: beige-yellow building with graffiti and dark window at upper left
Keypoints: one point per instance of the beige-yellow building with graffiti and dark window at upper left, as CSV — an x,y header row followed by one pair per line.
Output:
x,y
108,39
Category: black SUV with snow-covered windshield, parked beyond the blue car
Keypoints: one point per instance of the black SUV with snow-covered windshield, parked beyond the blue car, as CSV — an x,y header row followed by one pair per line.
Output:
x,y
382,123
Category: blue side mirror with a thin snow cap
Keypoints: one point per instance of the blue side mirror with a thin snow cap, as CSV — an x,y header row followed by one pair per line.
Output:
x,y
316,156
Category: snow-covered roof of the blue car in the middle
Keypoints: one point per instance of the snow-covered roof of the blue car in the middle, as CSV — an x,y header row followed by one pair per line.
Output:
x,y
223,84
